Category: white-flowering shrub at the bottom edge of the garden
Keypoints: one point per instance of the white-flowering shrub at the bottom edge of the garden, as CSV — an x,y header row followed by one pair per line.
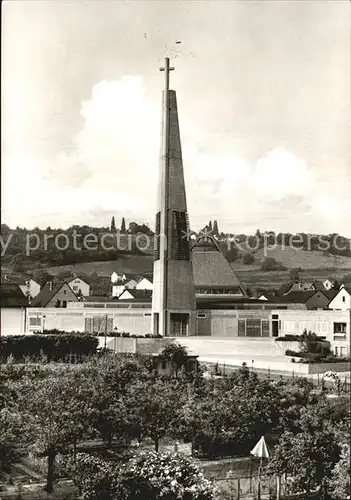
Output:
x,y
148,475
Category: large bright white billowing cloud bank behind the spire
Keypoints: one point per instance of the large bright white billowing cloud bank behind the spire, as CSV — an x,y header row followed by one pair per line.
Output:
x,y
113,167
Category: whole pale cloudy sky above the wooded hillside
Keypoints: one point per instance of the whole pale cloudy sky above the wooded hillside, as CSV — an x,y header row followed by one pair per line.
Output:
x,y
263,92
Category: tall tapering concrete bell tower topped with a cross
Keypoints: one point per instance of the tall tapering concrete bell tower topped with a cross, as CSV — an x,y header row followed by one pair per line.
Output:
x,y
173,300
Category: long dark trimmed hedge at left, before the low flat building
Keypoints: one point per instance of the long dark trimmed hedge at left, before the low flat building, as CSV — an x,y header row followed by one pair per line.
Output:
x,y
59,347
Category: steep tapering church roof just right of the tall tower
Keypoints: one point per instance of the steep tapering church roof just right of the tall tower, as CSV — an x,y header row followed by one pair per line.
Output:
x,y
211,268
